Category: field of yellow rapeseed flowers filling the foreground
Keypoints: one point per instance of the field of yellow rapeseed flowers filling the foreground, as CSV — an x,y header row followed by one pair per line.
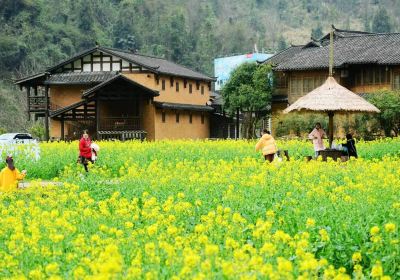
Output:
x,y
201,210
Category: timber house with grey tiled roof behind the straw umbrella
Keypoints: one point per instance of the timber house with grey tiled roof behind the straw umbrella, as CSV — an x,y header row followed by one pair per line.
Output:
x,y
363,62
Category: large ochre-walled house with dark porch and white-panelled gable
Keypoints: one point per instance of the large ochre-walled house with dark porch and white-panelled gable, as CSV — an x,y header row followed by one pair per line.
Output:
x,y
120,94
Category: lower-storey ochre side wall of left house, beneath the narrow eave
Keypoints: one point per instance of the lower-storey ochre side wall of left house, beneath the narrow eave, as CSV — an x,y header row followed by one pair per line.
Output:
x,y
182,130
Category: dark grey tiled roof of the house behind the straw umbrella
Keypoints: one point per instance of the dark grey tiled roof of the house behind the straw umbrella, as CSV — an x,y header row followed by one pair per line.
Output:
x,y
350,47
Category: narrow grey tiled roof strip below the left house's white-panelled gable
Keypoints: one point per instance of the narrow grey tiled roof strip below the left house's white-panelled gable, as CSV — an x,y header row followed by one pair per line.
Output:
x,y
79,78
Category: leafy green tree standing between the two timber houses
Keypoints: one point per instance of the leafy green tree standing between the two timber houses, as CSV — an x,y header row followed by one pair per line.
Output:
x,y
249,89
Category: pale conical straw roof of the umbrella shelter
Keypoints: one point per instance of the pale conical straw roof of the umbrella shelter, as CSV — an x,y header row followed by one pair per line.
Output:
x,y
332,97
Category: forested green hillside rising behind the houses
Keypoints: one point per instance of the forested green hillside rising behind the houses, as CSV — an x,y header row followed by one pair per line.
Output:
x,y
39,33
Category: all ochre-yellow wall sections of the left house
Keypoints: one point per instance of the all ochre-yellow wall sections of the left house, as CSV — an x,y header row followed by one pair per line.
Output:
x,y
152,123
